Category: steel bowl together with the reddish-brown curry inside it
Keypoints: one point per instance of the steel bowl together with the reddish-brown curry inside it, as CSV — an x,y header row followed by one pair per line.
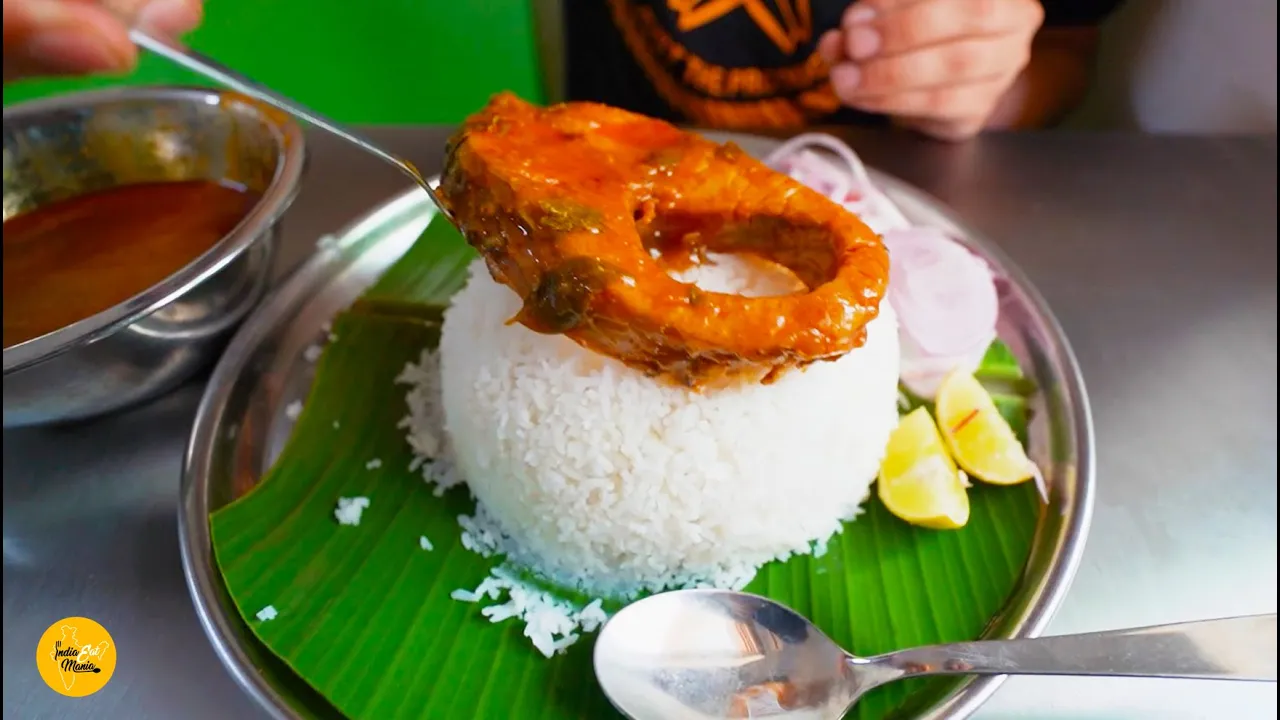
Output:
x,y
140,229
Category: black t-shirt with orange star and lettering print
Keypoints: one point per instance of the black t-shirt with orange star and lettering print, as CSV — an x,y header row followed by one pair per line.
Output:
x,y
738,65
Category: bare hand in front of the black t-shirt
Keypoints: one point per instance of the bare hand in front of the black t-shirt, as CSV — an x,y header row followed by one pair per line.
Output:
x,y
940,67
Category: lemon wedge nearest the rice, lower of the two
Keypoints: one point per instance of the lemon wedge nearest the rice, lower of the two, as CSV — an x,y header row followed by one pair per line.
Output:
x,y
918,481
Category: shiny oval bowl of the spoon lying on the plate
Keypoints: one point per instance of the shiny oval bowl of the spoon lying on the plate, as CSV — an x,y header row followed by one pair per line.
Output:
x,y
714,654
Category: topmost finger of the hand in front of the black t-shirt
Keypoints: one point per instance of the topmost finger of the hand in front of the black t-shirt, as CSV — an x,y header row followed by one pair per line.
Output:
x,y
892,28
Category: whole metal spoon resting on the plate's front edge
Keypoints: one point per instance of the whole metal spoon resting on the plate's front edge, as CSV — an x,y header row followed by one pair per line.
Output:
x,y
720,654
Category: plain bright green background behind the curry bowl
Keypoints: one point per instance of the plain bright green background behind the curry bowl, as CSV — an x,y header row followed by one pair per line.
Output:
x,y
376,62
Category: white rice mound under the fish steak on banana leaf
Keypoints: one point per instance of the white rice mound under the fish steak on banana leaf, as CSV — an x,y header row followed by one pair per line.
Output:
x,y
614,484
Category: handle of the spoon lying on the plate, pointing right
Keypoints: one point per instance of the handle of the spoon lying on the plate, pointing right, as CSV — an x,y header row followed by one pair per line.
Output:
x,y
1232,649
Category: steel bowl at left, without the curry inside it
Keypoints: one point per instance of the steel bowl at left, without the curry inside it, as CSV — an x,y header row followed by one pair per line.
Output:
x,y
84,143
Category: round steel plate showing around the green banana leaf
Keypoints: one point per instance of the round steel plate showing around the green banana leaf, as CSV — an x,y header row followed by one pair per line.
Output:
x,y
243,425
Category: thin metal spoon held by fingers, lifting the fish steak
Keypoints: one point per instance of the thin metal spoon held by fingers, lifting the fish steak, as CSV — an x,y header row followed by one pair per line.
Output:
x,y
236,81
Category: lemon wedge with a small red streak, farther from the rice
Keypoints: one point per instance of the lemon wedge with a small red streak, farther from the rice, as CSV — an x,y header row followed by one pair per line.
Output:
x,y
979,436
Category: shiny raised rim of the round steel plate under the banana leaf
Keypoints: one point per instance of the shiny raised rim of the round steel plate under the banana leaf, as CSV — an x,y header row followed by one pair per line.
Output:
x,y
1031,609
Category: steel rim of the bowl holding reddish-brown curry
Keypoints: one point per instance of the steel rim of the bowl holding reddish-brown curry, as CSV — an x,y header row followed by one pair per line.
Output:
x,y
280,194
